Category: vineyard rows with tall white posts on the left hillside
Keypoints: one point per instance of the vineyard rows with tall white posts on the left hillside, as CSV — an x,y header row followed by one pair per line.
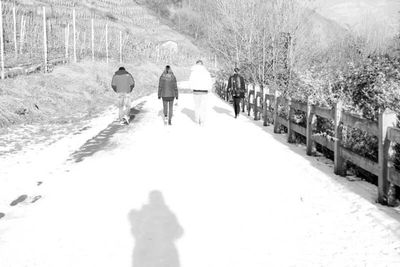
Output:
x,y
37,38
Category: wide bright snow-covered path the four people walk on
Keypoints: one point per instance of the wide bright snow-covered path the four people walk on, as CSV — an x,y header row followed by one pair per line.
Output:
x,y
242,196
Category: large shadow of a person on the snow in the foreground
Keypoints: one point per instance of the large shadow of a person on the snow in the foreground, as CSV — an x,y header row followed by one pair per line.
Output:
x,y
155,229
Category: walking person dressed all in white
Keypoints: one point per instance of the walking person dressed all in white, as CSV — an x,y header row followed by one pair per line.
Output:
x,y
201,84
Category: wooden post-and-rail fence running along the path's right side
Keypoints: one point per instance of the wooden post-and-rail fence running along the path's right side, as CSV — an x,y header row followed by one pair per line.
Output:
x,y
267,108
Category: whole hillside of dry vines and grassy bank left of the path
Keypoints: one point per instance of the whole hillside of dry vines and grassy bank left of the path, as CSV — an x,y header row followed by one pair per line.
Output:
x,y
80,90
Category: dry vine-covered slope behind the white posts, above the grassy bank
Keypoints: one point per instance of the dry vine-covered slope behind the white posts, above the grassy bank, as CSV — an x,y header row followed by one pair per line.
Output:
x,y
136,25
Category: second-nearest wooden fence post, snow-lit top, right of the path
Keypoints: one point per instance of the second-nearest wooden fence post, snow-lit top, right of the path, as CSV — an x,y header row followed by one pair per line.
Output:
x,y
339,162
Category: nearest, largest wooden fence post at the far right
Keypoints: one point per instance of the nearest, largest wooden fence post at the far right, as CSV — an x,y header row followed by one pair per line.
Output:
x,y
386,119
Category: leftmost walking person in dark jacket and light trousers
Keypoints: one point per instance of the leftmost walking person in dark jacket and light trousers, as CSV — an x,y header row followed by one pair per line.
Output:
x,y
123,84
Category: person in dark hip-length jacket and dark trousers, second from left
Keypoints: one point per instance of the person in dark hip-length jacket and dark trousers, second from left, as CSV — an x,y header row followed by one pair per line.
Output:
x,y
168,91
